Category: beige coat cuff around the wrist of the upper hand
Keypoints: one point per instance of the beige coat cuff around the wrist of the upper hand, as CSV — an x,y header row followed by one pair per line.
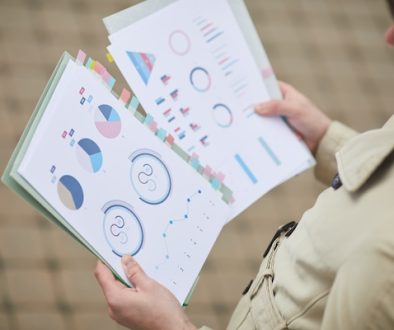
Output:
x,y
336,136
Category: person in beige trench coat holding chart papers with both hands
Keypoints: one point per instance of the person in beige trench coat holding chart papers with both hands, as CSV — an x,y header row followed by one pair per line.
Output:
x,y
334,270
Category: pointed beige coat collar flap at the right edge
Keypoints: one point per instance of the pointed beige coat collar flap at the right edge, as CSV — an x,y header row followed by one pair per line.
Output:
x,y
359,158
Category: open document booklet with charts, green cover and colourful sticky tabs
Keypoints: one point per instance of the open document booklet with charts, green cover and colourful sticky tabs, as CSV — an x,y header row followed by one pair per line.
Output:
x,y
130,174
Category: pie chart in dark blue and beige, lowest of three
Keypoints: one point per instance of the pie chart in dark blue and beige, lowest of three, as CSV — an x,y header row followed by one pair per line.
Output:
x,y
70,192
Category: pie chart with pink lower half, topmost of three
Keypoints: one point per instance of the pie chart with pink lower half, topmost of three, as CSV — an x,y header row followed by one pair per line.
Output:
x,y
107,121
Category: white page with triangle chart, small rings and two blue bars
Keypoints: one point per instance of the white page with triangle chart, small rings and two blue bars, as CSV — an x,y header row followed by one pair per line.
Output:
x,y
191,68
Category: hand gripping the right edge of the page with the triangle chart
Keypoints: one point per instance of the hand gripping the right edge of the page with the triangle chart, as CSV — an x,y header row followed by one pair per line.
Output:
x,y
308,120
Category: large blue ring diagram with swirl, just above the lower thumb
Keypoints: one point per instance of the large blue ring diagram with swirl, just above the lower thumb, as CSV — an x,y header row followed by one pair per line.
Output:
x,y
122,228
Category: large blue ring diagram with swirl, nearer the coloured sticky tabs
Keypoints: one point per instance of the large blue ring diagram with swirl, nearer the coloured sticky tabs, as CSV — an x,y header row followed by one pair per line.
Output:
x,y
150,177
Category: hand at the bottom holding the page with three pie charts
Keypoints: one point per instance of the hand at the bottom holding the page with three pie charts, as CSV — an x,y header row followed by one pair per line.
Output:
x,y
148,305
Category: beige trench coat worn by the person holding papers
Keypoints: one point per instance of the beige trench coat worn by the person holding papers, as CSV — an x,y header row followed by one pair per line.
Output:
x,y
336,270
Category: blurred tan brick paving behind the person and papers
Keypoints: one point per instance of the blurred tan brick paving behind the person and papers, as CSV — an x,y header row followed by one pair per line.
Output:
x,y
332,50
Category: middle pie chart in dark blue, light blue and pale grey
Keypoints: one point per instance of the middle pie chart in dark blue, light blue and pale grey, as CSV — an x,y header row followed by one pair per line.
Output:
x,y
89,155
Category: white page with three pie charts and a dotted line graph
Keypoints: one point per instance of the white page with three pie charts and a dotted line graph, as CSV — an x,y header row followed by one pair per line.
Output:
x,y
119,186
